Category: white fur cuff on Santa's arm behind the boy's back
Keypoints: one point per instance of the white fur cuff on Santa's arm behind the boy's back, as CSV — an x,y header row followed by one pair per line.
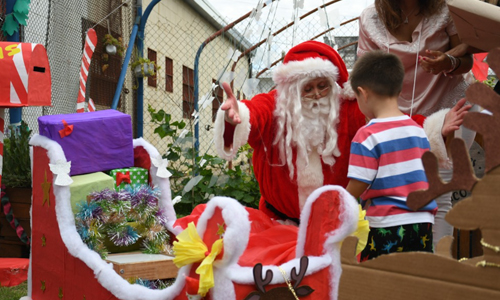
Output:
x,y
432,127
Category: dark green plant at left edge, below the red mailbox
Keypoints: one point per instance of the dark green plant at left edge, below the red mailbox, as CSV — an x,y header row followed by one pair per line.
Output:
x,y
16,156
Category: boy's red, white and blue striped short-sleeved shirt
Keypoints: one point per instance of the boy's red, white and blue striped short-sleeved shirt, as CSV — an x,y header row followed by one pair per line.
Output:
x,y
386,154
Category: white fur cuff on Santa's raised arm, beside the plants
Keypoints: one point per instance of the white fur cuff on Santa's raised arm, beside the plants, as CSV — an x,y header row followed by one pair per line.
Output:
x,y
241,132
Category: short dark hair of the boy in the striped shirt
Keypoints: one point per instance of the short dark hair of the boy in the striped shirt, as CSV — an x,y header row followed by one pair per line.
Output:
x,y
380,72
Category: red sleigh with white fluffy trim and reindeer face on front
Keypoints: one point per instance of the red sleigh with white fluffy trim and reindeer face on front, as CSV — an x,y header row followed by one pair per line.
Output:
x,y
63,266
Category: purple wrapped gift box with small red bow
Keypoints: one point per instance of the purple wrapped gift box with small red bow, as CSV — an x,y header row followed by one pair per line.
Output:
x,y
94,141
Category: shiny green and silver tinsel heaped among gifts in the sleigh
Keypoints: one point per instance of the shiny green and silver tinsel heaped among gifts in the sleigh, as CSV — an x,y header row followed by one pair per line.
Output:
x,y
125,218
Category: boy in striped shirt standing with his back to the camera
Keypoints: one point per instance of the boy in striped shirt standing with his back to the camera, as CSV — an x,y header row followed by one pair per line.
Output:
x,y
385,163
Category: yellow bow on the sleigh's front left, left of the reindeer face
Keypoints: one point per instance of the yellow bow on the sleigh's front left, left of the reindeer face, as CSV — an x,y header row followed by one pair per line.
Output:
x,y
189,249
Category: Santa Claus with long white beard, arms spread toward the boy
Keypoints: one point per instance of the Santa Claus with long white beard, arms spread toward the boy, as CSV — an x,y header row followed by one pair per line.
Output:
x,y
300,132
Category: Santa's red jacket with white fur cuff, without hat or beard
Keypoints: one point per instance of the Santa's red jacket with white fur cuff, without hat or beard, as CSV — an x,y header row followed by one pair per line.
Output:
x,y
258,128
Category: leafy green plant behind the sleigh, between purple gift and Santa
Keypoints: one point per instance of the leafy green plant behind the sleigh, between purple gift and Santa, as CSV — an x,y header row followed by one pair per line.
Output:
x,y
197,178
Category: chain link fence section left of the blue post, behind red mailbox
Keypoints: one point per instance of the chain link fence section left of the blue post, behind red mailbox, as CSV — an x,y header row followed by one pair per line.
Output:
x,y
61,26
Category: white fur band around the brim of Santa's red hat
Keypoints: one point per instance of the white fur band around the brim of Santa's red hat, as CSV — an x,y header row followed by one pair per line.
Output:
x,y
311,67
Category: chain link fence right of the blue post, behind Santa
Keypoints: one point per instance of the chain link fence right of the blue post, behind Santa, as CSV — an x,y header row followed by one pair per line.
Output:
x,y
244,55
